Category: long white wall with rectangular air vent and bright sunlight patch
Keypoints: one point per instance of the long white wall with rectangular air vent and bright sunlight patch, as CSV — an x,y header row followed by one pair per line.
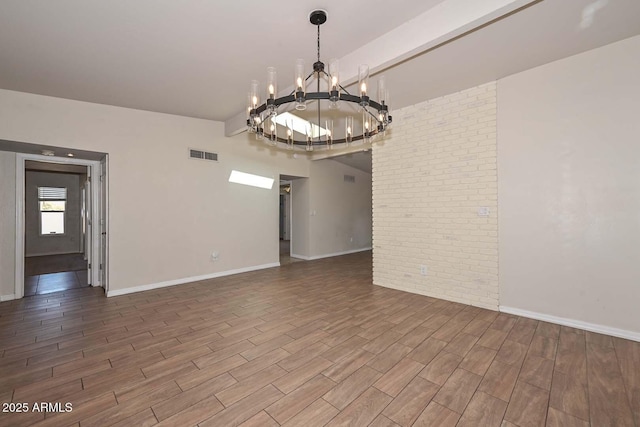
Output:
x,y
167,212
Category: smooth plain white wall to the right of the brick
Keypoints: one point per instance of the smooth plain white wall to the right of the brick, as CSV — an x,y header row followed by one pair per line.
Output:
x,y
569,181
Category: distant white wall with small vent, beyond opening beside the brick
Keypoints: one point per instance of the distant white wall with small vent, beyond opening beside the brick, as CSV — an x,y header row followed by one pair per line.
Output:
x,y
339,212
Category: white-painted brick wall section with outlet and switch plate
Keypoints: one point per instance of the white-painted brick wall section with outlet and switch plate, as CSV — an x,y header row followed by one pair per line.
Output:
x,y
436,167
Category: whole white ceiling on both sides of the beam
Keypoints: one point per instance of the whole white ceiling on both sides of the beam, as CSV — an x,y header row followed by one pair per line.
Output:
x,y
196,58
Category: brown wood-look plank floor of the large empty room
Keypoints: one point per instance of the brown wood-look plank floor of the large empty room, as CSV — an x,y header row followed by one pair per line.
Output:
x,y
308,344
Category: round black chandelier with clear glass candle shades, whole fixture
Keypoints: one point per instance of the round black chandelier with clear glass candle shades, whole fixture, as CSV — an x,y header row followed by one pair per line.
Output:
x,y
264,120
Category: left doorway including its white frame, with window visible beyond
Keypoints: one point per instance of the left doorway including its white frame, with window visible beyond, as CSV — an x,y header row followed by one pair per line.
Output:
x,y
61,224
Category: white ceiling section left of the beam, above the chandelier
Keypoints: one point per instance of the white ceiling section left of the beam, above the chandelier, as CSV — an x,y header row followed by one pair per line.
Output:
x,y
190,57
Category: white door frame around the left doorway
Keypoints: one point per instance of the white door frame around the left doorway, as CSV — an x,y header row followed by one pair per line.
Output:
x,y
94,260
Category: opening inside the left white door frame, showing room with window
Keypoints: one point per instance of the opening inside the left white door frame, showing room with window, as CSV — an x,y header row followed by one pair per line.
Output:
x,y
56,215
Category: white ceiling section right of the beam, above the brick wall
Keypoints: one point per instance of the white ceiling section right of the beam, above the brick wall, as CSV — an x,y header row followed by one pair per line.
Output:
x,y
547,31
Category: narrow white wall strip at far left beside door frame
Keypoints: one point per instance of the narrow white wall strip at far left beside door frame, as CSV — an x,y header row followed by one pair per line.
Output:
x,y
7,223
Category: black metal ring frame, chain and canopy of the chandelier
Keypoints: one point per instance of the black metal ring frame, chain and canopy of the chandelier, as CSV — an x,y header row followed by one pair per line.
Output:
x,y
255,122
